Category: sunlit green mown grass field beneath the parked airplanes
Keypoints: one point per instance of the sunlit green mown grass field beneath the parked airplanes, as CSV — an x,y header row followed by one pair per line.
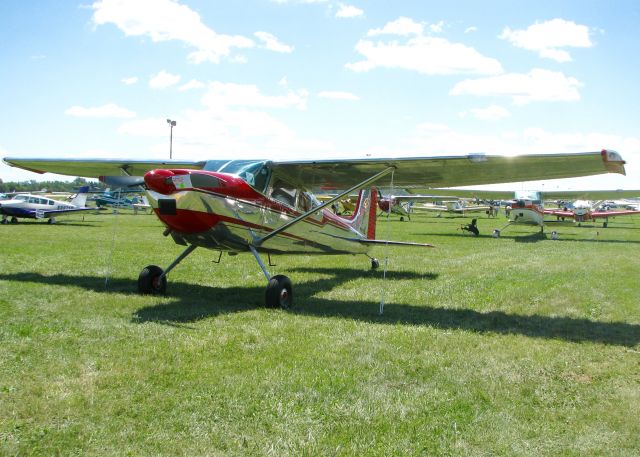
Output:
x,y
514,346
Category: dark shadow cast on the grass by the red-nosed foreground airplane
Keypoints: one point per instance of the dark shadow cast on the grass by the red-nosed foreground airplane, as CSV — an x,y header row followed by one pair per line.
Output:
x,y
194,302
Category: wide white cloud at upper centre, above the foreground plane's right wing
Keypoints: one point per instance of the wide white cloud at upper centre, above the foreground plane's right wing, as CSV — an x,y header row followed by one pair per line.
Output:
x,y
424,54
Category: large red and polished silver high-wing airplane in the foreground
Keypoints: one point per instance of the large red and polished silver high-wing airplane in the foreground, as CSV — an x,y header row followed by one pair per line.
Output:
x,y
265,207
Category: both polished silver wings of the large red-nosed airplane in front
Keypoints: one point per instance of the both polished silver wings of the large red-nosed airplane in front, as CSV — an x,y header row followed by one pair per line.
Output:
x,y
409,172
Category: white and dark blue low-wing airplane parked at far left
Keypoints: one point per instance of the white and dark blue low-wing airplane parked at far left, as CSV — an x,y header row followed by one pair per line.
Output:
x,y
40,207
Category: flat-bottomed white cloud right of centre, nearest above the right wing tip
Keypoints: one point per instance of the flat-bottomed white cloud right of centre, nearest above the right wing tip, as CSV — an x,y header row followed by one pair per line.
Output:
x,y
535,86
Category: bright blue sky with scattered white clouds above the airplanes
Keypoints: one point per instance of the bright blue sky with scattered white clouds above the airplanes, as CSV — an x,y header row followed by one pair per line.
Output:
x,y
277,79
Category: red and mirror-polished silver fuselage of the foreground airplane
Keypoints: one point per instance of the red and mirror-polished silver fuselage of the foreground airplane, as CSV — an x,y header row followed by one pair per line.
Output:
x,y
222,211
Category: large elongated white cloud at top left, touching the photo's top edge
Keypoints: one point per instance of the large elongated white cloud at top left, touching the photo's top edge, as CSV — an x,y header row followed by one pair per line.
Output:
x,y
166,20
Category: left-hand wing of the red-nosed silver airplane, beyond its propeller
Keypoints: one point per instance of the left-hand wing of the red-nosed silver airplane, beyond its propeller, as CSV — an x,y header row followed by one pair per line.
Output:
x,y
96,168
